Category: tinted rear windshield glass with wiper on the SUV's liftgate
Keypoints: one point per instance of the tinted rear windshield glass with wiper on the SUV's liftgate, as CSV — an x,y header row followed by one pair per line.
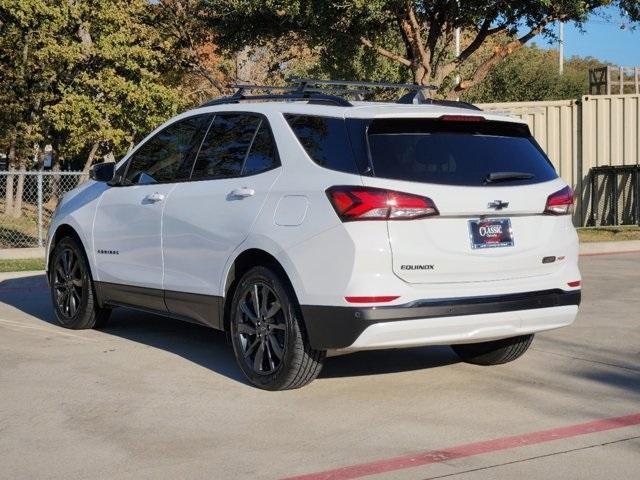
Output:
x,y
457,152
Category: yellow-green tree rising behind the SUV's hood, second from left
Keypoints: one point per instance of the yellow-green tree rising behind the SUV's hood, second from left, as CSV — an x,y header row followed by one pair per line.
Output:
x,y
124,83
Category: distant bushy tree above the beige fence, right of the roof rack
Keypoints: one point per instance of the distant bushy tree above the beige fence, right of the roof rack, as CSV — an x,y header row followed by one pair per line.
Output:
x,y
532,74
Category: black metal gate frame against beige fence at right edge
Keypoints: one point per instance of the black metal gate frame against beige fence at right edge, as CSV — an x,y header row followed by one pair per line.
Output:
x,y
615,197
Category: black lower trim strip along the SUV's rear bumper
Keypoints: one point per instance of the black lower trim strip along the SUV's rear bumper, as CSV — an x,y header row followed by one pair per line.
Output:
x,y
332,327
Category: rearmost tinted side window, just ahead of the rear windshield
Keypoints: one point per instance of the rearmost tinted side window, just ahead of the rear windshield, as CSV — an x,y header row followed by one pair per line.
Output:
x,y
326,141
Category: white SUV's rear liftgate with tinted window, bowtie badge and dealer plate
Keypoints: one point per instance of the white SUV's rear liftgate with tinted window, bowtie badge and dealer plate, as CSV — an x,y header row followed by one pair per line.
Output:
x,y
489,181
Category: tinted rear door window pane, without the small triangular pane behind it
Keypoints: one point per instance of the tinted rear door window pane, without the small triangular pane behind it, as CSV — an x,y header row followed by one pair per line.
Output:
x,y
225,147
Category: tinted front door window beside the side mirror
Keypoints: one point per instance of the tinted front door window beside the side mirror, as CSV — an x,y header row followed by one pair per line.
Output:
x,y
160,159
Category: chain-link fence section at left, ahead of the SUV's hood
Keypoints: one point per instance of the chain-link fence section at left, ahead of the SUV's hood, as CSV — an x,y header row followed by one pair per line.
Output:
x,y
27,202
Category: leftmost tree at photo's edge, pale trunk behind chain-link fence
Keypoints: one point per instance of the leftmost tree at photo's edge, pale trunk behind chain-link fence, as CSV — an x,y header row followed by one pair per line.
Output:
x,y
30,62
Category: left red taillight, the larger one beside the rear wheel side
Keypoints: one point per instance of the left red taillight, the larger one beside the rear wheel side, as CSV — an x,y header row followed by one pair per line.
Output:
x,y
368,203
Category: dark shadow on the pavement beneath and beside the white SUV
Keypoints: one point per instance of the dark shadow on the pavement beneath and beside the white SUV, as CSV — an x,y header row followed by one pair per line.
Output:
x,y
207,347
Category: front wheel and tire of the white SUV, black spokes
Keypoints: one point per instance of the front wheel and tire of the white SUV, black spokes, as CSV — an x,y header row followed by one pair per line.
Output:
x,y
72,289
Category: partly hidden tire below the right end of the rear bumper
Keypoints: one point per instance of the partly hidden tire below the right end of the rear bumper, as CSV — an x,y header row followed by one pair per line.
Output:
x,y
495,352
